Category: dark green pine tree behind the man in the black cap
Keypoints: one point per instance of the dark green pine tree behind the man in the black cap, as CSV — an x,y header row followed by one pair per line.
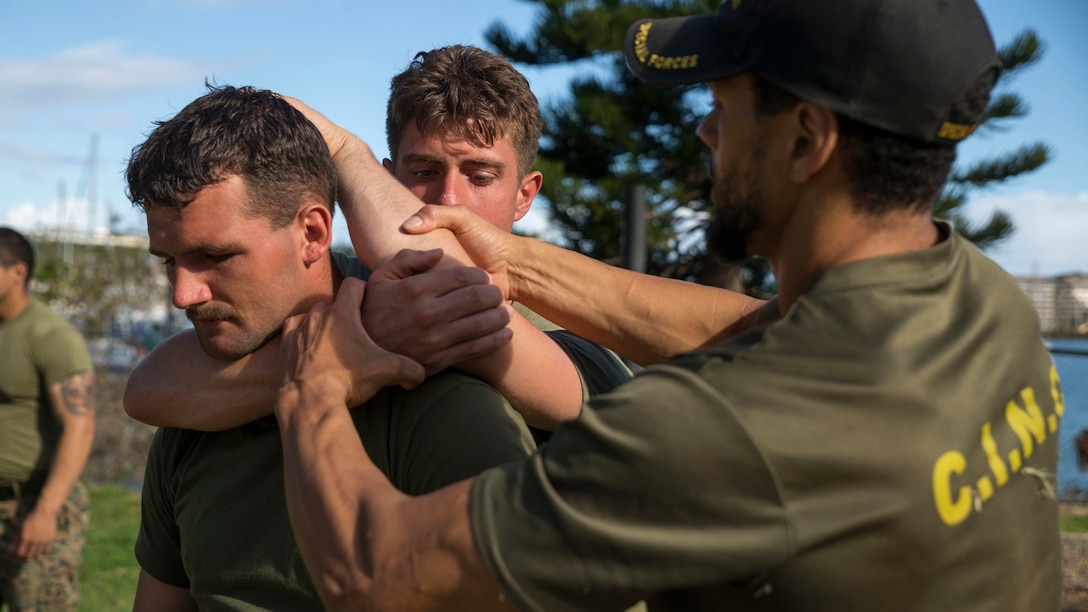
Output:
x,y
615,132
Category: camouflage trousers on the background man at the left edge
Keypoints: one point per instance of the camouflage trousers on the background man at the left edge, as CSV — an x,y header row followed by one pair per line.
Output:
x,y
51,583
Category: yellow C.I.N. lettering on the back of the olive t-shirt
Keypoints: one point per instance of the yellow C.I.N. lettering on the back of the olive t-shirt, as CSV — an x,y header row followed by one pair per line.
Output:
x,y
954,496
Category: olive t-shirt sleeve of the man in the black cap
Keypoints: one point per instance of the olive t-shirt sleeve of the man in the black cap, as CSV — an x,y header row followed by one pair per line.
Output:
x,y
656,487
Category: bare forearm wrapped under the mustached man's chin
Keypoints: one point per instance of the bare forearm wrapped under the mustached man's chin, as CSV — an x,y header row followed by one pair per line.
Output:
x,y
178,385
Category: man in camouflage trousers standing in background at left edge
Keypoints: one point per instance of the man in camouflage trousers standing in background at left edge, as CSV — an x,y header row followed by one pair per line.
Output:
x,y
47,426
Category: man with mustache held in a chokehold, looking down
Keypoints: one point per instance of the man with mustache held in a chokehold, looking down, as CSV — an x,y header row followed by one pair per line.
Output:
x,y
239,190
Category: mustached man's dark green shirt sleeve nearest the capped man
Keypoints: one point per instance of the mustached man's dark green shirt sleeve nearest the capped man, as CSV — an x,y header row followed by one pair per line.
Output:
x,y
458,429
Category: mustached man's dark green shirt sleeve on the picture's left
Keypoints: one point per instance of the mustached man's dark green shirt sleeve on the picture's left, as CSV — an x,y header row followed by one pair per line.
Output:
x,y
159,543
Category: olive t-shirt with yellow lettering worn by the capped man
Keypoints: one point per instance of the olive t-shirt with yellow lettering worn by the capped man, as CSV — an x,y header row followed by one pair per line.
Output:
x,y
883,447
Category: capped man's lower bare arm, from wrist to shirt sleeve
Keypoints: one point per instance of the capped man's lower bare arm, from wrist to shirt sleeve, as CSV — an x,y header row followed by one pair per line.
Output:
x,y
368,546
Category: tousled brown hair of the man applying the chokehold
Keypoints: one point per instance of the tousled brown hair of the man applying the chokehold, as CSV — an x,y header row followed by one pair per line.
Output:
x,y
473,93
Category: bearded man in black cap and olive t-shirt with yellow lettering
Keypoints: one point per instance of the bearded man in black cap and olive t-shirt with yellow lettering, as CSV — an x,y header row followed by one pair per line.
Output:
x,y
888,443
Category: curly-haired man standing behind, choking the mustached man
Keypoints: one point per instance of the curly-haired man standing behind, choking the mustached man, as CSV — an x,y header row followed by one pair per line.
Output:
x,y
464,129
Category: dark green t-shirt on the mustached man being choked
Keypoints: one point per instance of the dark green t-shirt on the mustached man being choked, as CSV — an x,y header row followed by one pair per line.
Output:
x,y
215,519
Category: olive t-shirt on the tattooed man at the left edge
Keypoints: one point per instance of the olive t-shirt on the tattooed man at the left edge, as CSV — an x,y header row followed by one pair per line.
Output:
x,y
38,349
